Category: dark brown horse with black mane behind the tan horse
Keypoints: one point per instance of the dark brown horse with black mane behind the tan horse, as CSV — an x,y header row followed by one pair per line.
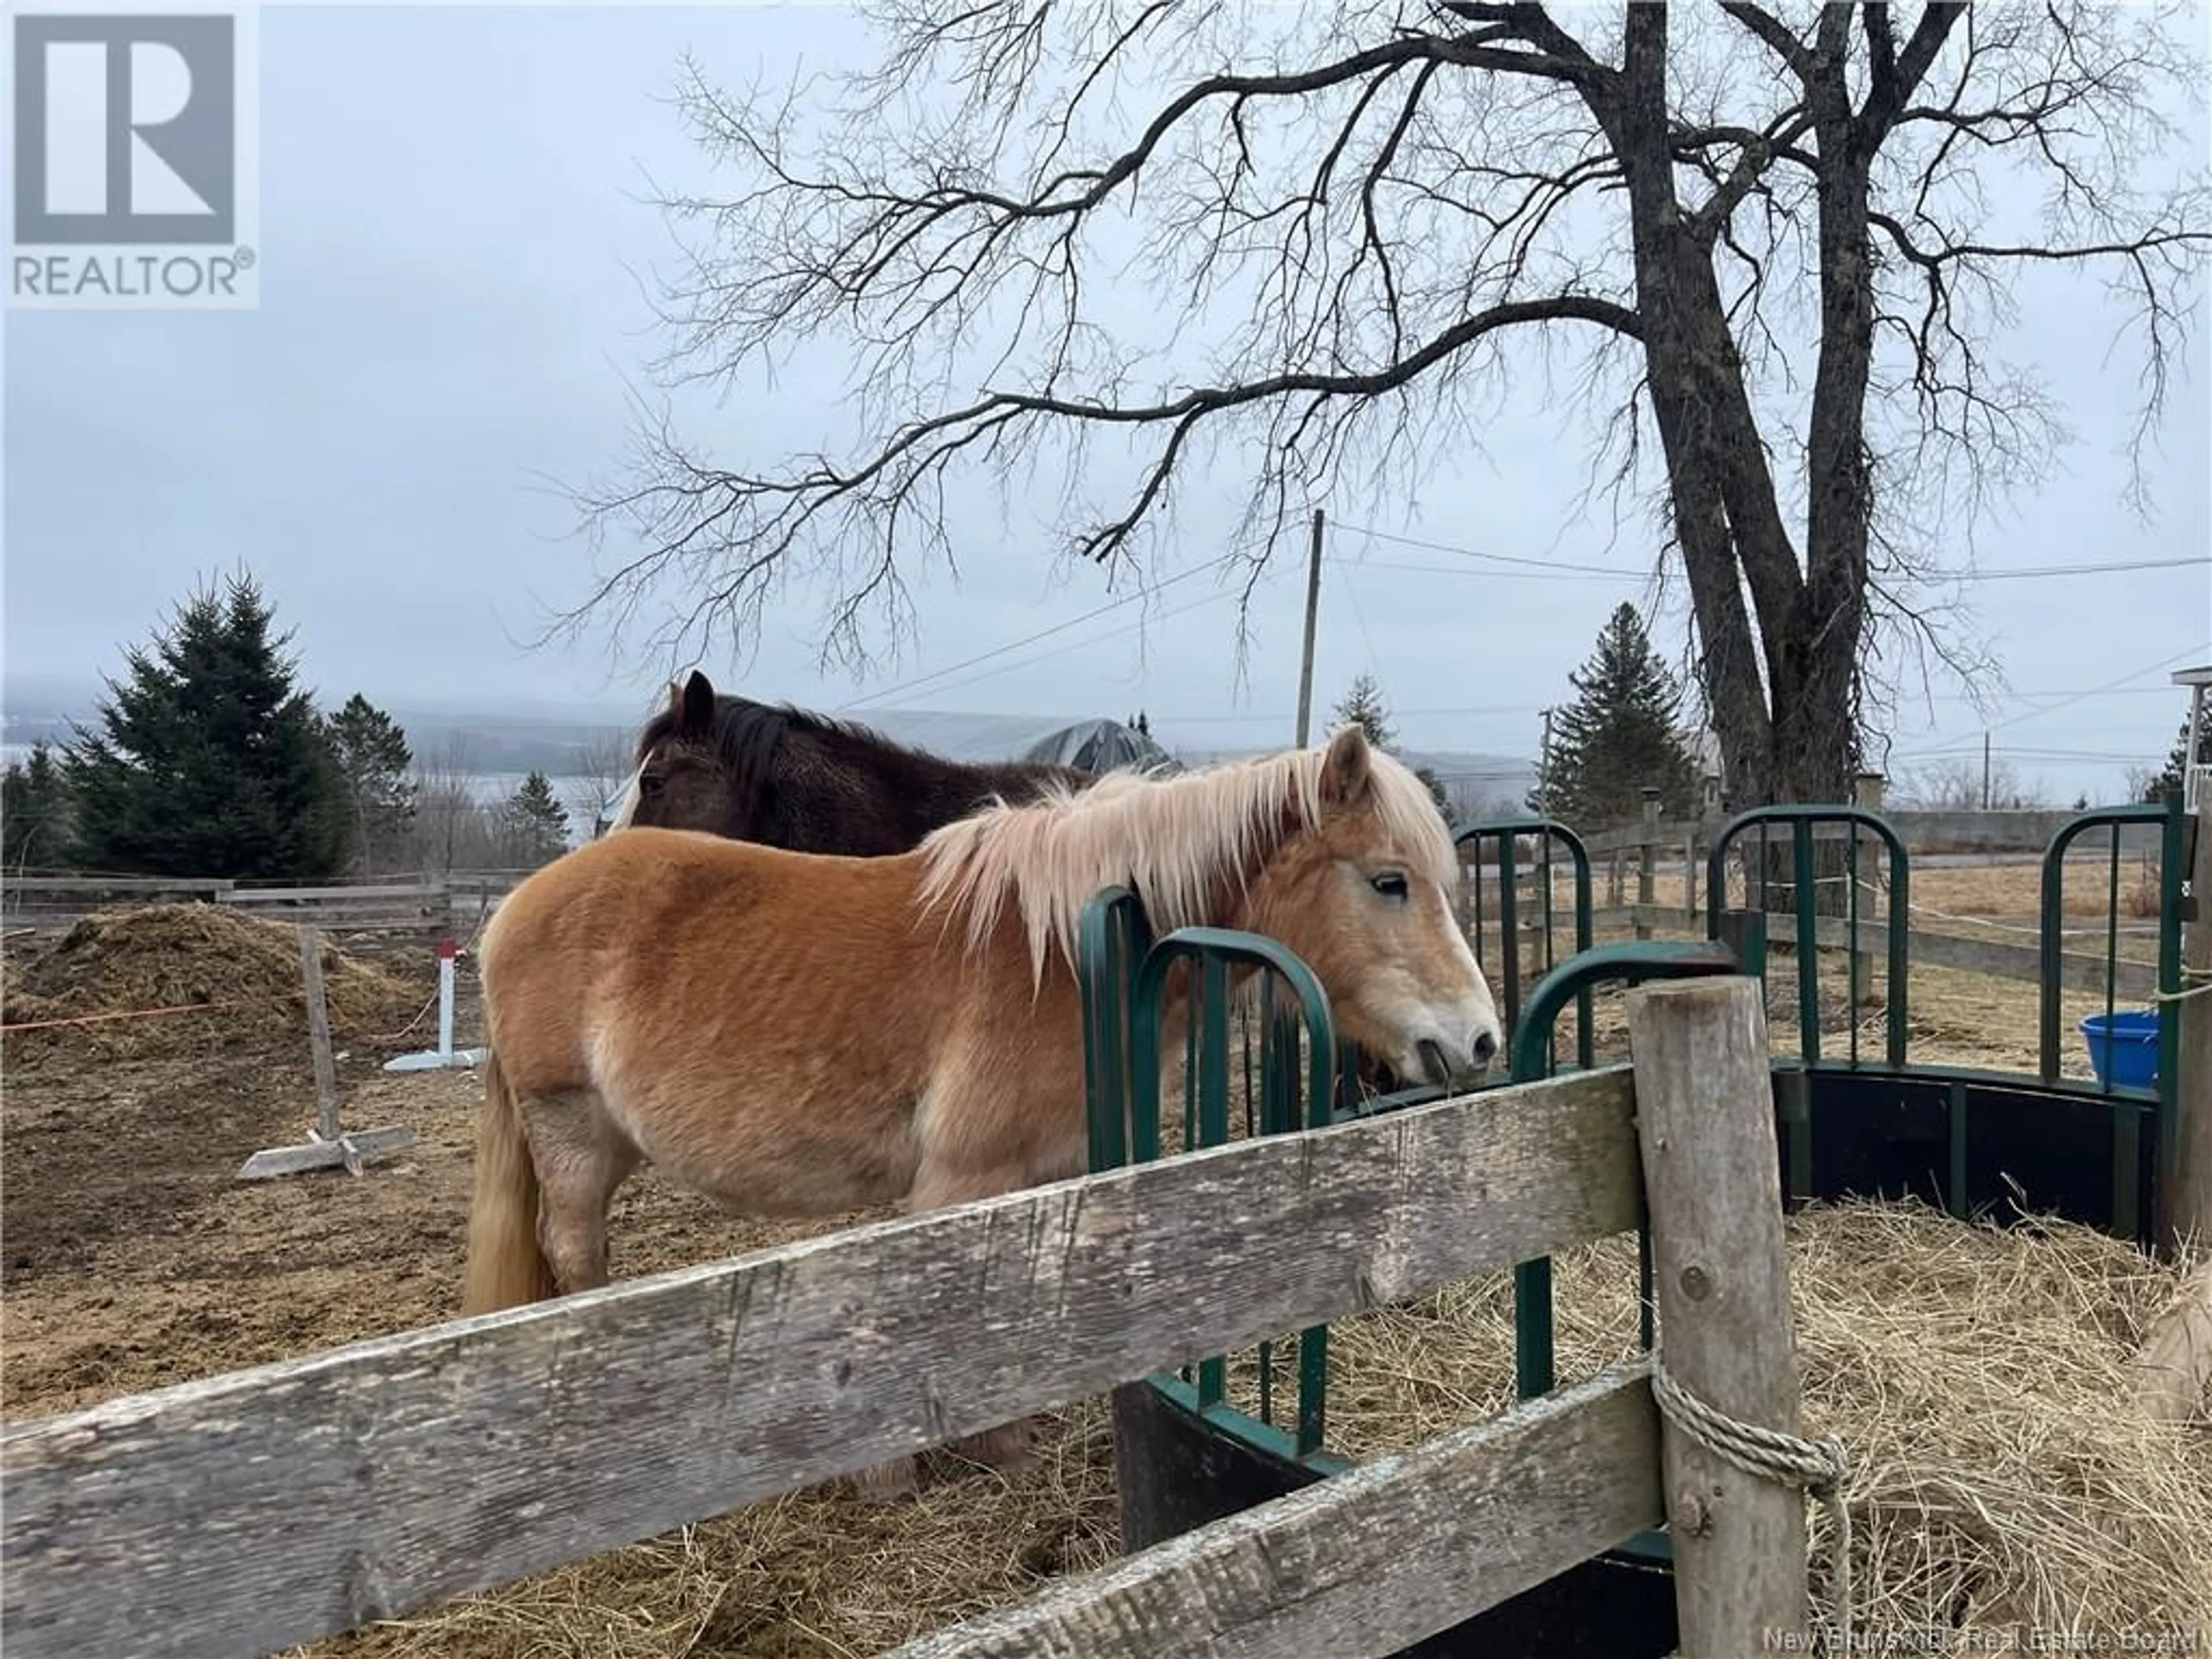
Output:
x,y
786,778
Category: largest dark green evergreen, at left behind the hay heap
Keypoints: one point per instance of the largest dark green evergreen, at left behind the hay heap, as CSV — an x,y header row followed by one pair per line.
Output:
x,y
209,758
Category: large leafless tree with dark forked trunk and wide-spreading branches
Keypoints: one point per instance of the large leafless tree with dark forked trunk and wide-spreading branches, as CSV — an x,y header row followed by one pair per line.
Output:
x,y
1375,218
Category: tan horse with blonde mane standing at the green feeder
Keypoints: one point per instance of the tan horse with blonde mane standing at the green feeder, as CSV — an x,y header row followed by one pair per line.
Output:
x,y
795,1034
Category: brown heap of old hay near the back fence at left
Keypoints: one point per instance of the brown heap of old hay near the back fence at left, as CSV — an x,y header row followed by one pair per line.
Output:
x,y
222,977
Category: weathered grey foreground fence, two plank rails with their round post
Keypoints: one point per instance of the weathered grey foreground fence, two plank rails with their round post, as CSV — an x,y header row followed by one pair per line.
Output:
x,y
251,1512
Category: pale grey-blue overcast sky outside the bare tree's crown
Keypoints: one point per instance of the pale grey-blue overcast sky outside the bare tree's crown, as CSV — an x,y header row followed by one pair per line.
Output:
x,y
452,244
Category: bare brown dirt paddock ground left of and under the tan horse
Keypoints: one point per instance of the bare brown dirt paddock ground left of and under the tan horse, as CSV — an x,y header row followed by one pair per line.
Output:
x,y
134,1255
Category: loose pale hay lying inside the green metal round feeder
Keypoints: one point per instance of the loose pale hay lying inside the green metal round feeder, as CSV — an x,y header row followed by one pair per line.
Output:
x,y
2003,1485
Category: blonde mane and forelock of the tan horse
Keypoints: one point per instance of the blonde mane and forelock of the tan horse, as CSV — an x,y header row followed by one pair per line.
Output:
x,y
1178,842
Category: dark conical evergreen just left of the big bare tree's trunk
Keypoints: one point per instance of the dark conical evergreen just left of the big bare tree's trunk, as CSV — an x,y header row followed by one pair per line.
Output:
x,y
1618,735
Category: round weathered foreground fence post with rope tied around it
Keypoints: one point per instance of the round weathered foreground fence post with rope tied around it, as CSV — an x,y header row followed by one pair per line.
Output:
x,y
1726,1359
